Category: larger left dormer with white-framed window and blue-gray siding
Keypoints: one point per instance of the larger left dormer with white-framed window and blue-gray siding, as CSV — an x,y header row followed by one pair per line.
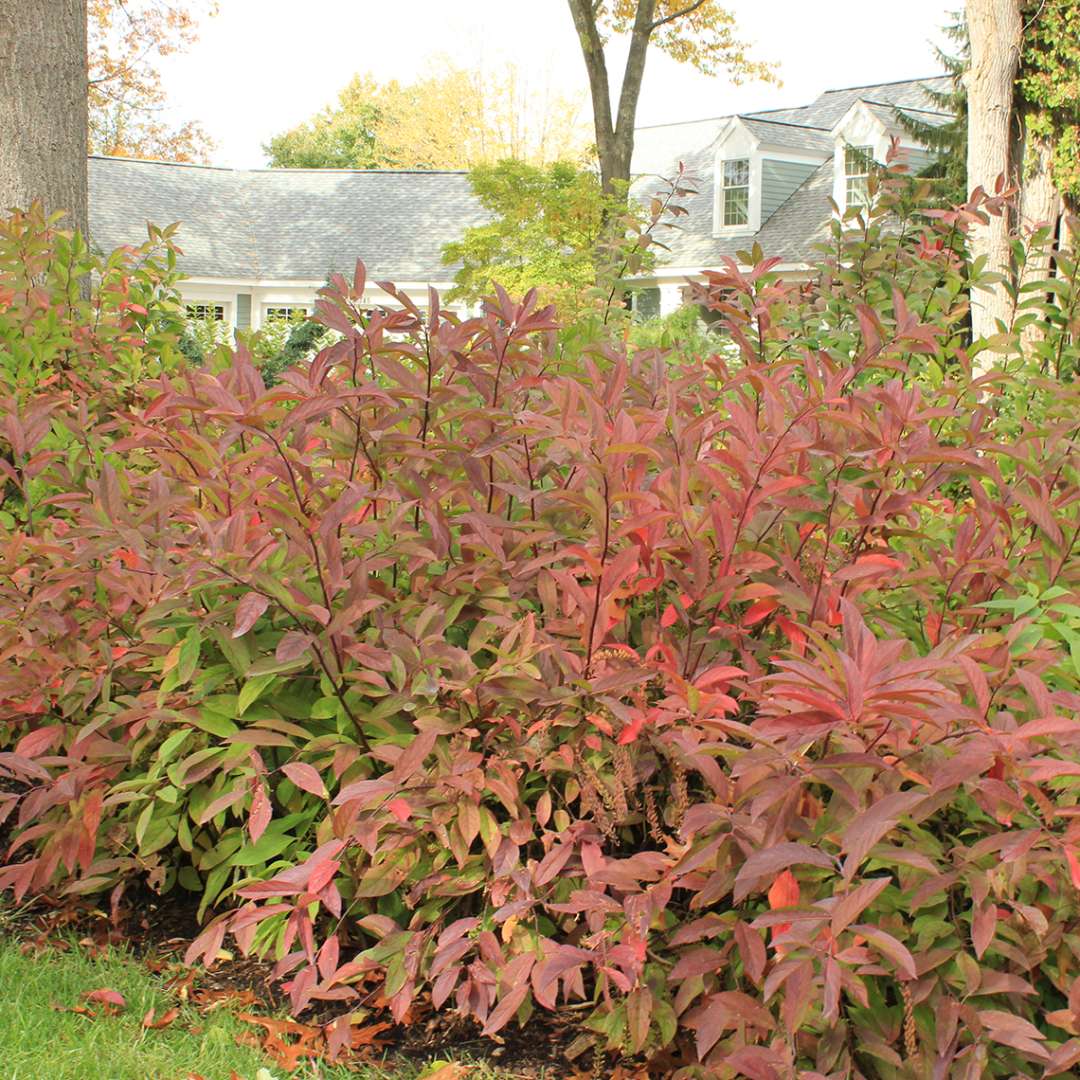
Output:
x,y
759,165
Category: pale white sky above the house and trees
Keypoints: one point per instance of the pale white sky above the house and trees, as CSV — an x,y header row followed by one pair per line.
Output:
x,y
263,66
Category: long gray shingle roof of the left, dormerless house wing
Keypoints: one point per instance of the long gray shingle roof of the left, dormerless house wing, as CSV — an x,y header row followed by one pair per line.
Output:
x,y
282,224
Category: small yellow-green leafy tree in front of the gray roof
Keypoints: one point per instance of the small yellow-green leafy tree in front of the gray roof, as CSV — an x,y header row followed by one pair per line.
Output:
x,y
547,223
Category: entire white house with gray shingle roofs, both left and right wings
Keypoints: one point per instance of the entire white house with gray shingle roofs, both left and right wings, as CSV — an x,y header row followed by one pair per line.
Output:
x,y
260,244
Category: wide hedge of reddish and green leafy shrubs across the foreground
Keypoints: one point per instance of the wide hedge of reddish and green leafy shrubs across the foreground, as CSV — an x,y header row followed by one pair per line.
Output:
x,y
735,696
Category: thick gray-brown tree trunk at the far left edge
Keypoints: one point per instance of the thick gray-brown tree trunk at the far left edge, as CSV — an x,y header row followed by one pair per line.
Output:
x,y
44,106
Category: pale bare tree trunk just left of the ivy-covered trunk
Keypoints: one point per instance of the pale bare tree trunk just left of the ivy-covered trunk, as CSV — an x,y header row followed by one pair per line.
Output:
x,y
995,31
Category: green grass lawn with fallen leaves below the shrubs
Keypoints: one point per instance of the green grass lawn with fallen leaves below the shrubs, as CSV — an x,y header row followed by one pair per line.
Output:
x,y
38,1043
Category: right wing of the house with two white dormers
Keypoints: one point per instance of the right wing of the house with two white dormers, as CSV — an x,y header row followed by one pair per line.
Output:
x,y
768,178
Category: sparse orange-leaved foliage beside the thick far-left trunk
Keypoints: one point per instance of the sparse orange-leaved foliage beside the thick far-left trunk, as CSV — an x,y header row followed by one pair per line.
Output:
x,y
126,98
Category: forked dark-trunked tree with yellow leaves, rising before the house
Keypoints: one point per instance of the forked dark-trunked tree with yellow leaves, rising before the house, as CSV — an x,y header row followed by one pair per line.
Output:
x,y
700,33
